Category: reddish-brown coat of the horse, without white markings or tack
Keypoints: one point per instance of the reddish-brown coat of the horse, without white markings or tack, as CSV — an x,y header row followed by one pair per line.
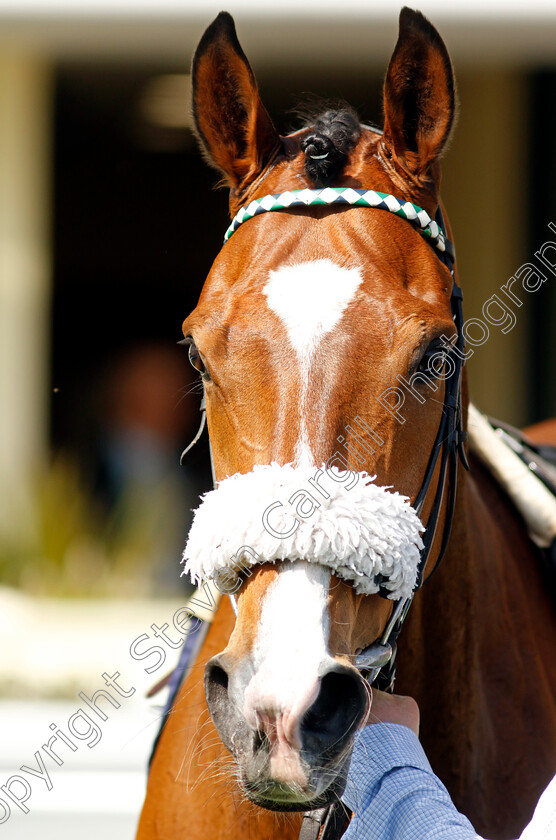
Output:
x,y
477,651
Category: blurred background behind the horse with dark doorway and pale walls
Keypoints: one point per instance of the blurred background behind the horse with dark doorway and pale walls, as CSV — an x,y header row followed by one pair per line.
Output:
x,y
108,226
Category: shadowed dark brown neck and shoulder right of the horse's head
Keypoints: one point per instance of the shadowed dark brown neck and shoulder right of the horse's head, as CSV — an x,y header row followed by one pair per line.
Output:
x,y
478,648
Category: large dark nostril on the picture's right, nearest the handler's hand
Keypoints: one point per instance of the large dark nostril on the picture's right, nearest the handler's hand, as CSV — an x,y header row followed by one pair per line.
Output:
x,y
335,714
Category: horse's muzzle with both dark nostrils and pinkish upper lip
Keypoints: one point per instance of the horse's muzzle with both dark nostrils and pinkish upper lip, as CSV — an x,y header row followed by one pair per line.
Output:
x,y
290,759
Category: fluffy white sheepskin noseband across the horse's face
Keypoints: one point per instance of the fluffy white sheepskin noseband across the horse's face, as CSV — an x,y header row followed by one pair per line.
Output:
x,y
335,518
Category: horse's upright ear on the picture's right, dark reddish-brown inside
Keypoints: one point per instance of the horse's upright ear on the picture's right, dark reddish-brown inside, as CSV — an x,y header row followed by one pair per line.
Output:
x,y
419,100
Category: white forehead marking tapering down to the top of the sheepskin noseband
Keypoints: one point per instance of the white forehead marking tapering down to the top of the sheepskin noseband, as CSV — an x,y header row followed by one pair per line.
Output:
x,y
310,299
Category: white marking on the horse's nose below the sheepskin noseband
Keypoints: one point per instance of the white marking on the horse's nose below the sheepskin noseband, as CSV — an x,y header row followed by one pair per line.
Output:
x,y
291,645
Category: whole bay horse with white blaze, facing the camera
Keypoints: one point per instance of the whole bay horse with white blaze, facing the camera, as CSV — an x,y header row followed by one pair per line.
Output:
x,y
311,317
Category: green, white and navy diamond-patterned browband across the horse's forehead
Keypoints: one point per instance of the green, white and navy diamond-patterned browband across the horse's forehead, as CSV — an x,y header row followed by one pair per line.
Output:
x,y
418,217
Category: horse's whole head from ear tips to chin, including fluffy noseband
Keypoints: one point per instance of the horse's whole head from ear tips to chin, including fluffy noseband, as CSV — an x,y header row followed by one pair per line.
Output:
x,y
321,336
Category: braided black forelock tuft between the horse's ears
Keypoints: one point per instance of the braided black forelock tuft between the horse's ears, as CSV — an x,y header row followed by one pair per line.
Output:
x,y
327,146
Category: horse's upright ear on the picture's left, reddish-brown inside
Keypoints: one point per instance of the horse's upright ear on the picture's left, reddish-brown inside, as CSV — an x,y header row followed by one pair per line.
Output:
x,y
233,126
